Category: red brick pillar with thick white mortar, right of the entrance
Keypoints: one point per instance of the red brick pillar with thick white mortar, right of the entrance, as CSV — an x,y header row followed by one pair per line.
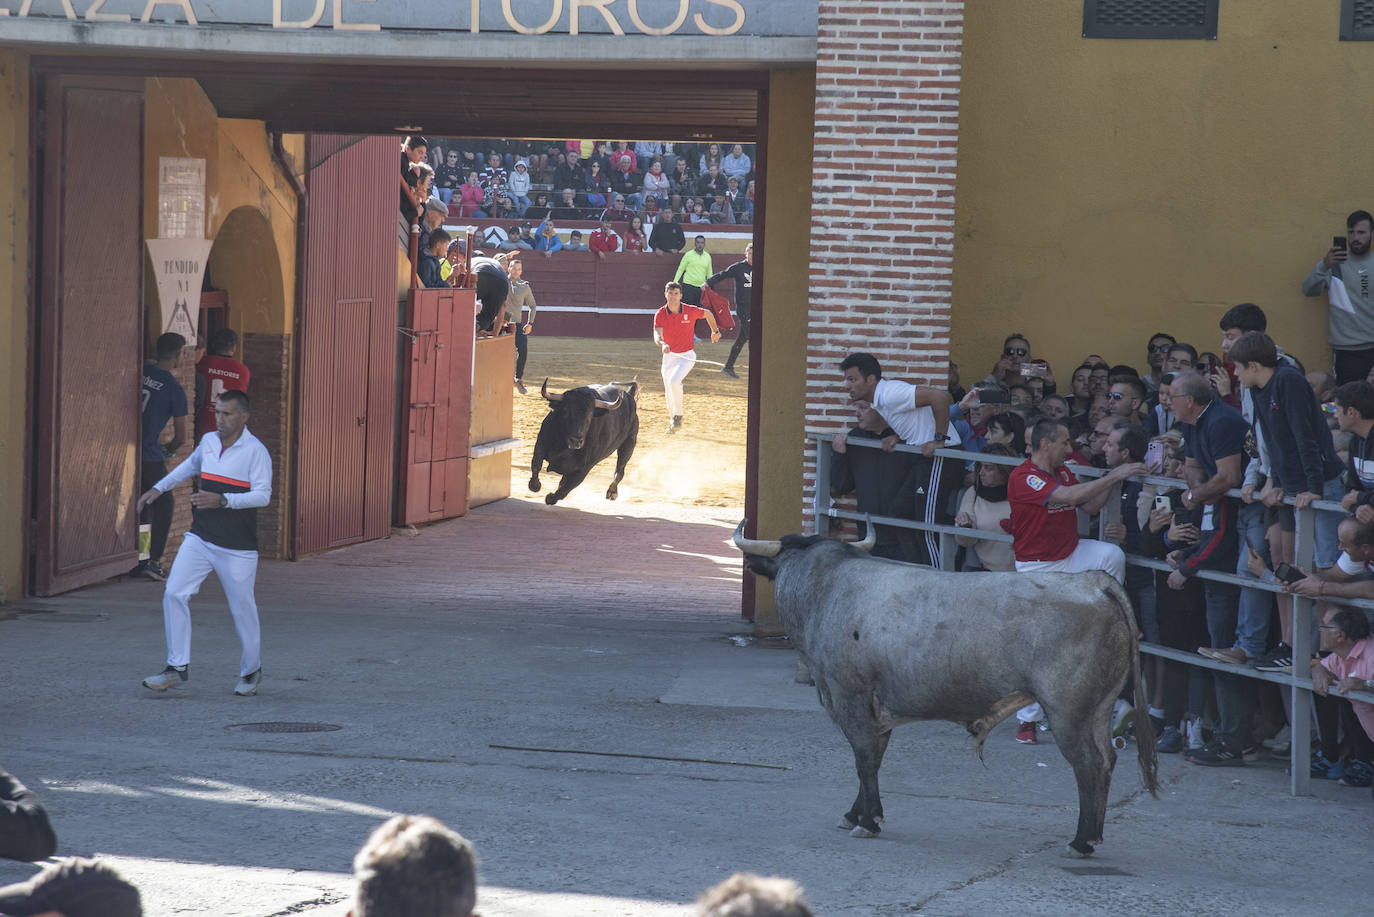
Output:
x,y
884,179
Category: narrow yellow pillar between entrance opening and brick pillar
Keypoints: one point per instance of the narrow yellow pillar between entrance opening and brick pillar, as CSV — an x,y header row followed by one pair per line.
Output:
x,y
788,240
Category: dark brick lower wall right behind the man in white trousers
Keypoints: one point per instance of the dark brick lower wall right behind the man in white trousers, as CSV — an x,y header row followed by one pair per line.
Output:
x,y
269,358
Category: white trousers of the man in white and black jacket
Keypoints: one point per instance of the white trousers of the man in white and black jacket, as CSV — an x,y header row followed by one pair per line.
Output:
x,y
237,571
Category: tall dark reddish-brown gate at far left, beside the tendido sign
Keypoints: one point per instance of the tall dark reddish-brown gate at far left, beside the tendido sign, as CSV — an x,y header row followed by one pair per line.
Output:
x,y
89,361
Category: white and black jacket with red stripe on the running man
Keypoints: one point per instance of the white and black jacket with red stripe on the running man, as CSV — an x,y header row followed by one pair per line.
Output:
x,y
243,474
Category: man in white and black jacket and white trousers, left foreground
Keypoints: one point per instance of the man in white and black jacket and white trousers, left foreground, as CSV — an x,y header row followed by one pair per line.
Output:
x,y
236,479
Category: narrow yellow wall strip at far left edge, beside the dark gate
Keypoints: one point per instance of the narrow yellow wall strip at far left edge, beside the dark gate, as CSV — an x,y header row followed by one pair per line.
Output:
x,y
14,313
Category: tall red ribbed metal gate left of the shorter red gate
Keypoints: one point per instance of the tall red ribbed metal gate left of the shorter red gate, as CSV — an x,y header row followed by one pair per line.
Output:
x,y
347,397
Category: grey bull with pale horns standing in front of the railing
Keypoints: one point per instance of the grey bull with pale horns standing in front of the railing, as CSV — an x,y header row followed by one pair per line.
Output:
x,y
892,644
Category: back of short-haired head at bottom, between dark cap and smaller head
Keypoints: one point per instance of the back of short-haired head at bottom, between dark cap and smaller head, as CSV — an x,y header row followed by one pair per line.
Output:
x,y
416,867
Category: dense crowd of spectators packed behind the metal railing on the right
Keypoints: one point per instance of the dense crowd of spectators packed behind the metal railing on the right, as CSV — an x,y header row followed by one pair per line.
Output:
x,y
1184,434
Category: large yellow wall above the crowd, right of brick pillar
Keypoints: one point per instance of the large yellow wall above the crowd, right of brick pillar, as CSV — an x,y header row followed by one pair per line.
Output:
x,y
1112,189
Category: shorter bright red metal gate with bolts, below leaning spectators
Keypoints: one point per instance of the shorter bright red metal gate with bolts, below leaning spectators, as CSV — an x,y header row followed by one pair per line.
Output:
x,y
439,399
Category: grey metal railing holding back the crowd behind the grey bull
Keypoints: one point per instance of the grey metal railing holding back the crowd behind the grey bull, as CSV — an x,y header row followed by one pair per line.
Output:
x,y
1298,680
